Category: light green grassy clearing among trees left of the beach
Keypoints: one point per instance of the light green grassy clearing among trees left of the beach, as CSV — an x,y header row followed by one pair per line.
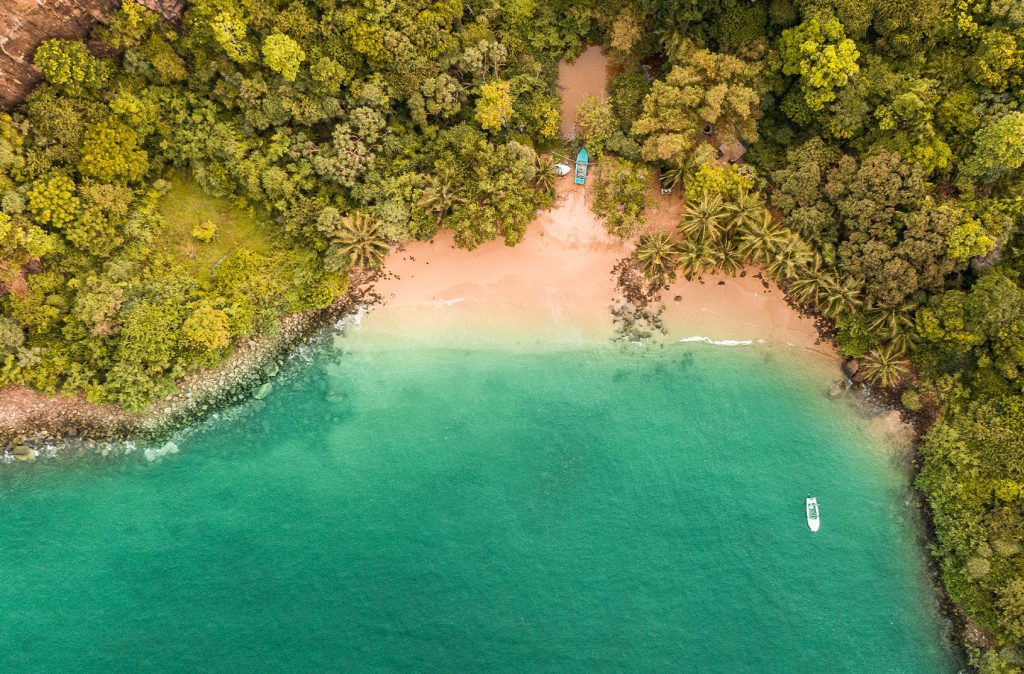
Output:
x,y
187,206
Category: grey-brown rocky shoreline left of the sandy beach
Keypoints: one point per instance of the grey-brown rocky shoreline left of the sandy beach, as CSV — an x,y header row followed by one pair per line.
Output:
x,y
34,426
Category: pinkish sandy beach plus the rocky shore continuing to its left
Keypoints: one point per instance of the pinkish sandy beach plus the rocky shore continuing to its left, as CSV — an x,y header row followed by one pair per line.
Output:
x,y
561,281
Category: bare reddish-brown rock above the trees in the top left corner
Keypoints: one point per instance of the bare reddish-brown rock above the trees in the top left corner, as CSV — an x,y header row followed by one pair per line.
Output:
x,y
25,24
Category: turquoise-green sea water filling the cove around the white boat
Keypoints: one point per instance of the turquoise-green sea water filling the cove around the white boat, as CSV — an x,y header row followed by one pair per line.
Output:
x,y
431,510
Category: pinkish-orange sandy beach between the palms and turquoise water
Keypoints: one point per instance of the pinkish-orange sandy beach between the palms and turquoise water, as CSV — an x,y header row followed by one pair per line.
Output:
x,y
559,286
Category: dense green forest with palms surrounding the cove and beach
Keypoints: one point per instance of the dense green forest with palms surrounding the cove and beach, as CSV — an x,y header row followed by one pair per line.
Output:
x,y
172,190
